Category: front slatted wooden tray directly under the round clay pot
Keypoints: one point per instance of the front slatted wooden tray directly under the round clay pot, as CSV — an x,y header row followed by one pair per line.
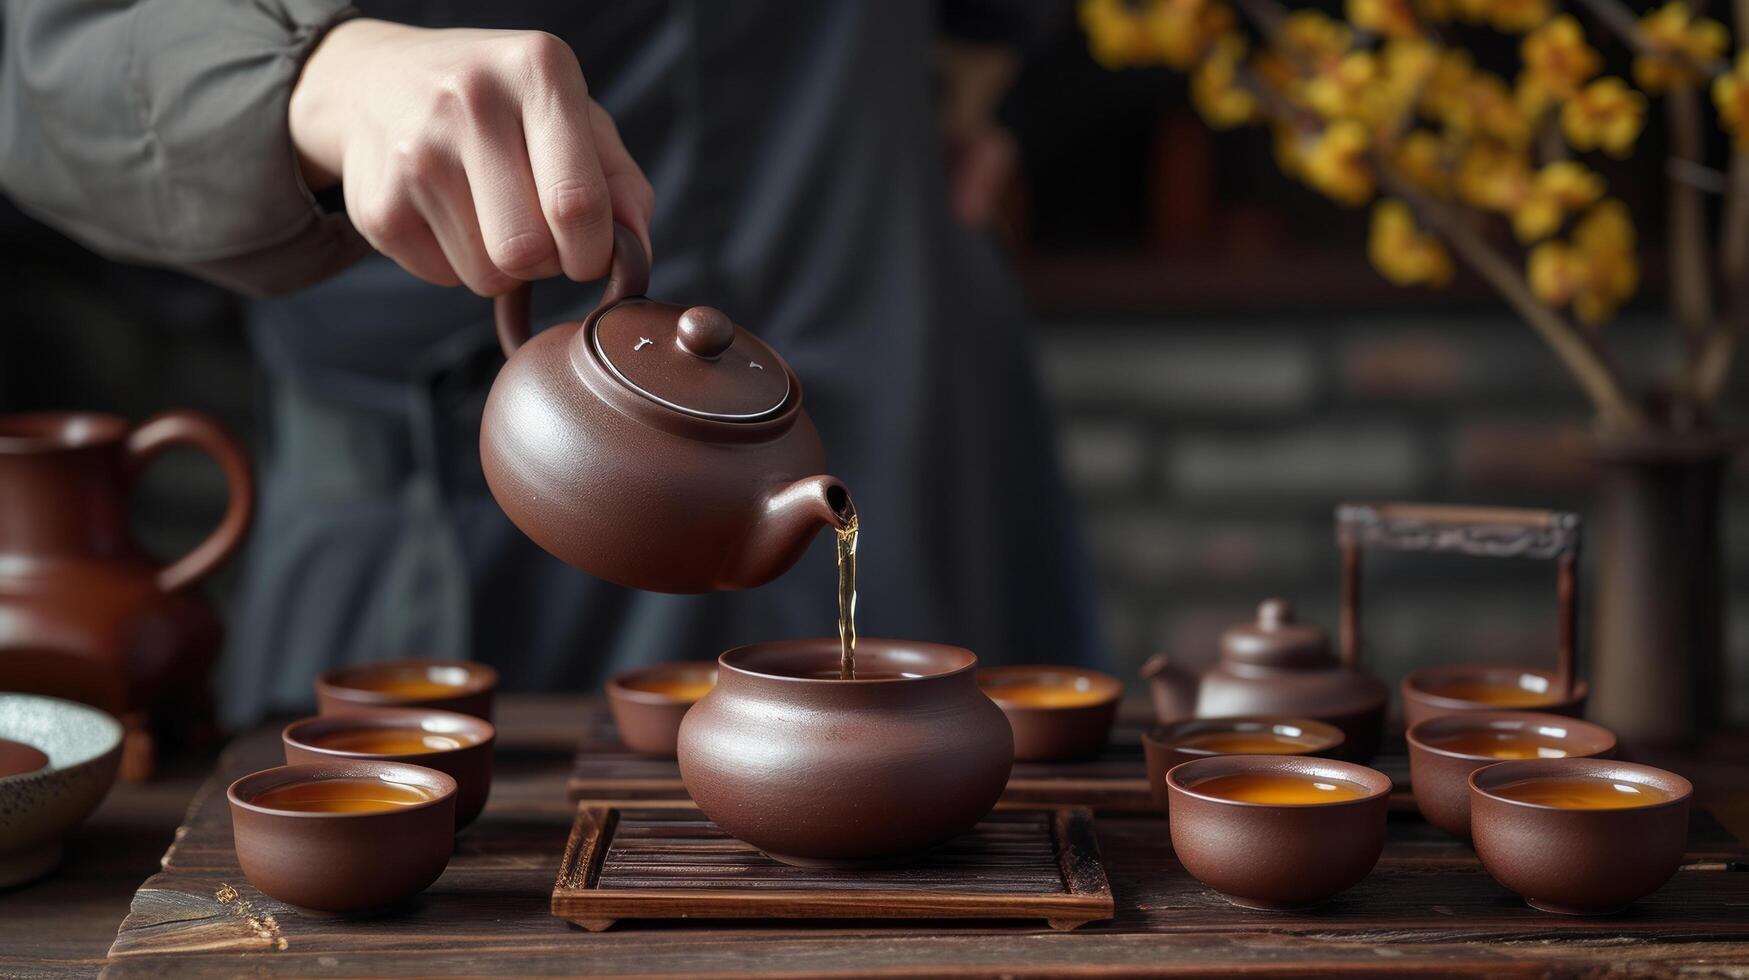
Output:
x,y
664,860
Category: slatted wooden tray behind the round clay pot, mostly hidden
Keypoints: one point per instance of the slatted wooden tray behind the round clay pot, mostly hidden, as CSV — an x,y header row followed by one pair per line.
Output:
x,y
1111,783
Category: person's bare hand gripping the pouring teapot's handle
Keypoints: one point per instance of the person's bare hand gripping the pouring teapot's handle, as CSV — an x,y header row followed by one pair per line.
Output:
x,y
470,157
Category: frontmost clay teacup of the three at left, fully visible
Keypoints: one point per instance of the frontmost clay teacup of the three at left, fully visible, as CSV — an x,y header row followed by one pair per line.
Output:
x,y
344,862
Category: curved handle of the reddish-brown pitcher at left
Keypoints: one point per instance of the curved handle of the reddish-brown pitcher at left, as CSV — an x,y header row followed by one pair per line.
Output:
x,y
183,428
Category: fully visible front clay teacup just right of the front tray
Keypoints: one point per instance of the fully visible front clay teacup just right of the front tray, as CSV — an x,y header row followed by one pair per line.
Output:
x,y
1278,857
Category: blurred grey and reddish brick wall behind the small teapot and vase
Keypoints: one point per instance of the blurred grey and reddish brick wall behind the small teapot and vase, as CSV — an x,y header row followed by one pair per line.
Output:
x,y
1208,456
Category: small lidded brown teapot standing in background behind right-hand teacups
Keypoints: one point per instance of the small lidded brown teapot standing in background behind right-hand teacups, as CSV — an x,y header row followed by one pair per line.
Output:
x,y
1276,668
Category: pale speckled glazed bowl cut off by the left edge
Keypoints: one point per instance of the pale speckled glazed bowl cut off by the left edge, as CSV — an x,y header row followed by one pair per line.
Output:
x,y
39,808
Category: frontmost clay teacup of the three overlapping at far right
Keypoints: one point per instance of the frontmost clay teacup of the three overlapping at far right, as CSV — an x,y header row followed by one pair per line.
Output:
x,y
1580,862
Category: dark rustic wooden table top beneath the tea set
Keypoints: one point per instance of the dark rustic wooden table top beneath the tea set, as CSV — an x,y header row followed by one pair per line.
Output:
x,y
1426,907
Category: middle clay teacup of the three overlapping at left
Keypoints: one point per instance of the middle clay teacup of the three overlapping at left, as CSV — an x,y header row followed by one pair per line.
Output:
x,y
447,741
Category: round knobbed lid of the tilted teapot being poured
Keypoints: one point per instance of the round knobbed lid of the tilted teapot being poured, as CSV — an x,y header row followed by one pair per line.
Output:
x,y
692,360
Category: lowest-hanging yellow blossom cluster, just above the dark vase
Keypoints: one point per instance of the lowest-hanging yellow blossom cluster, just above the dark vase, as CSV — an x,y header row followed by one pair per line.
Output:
x,y
1596,272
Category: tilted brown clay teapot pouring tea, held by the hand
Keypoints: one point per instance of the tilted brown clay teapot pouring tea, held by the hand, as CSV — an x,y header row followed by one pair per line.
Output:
x,y
655,445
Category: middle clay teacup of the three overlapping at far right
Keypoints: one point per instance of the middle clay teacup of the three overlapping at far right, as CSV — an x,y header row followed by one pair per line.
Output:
x,y
1446,750
